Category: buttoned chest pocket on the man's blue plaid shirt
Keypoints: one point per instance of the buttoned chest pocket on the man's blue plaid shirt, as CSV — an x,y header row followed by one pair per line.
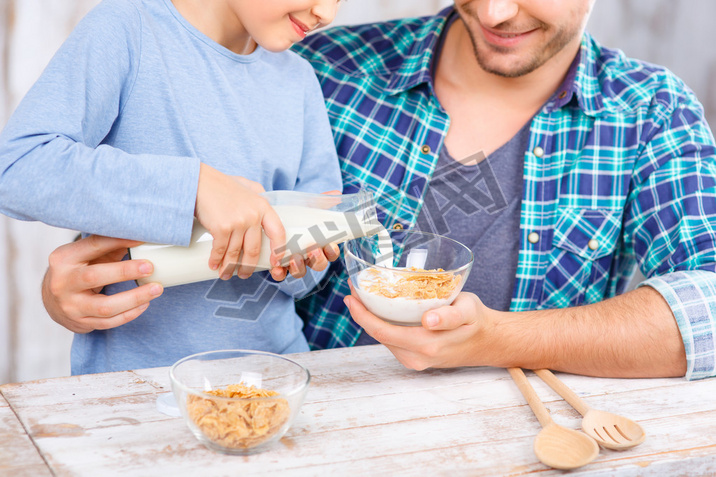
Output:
x,y
579,264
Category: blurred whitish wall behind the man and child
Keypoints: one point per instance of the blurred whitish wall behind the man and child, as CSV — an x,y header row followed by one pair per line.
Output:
x,y
673,33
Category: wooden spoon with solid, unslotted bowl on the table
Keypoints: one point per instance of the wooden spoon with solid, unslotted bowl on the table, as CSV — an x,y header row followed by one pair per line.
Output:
x,y
556,446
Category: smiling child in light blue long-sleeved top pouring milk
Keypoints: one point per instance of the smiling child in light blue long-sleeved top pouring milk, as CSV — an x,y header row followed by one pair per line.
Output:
x,y
156,111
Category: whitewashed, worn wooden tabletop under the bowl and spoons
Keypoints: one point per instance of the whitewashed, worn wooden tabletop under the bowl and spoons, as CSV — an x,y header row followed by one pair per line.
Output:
x,y
364,414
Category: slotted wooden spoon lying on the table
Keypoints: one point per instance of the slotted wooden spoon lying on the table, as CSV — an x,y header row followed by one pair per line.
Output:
x,y
609,430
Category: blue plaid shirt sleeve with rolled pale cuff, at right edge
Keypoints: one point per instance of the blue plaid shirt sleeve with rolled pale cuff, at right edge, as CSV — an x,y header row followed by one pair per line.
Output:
x,y
672,223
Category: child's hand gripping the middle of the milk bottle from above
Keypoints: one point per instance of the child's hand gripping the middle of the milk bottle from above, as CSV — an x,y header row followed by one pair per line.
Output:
x,y
234,213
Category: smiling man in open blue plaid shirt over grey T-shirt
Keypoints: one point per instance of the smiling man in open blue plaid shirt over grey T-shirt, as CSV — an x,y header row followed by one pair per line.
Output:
x,y
618,171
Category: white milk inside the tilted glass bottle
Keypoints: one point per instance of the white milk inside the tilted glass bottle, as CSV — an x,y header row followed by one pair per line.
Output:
x,y
306,227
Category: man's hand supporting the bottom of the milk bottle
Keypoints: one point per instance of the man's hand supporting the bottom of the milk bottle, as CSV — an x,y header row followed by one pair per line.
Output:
x,y
77,273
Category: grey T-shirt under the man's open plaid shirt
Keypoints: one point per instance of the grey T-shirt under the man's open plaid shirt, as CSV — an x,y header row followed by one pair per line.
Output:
x,y
479,206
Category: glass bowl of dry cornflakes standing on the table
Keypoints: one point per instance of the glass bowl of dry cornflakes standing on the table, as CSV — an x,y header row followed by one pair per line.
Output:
x,y
238,401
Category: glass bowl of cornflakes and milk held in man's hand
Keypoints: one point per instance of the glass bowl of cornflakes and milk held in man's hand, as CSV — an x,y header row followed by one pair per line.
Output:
x,y
420,271
